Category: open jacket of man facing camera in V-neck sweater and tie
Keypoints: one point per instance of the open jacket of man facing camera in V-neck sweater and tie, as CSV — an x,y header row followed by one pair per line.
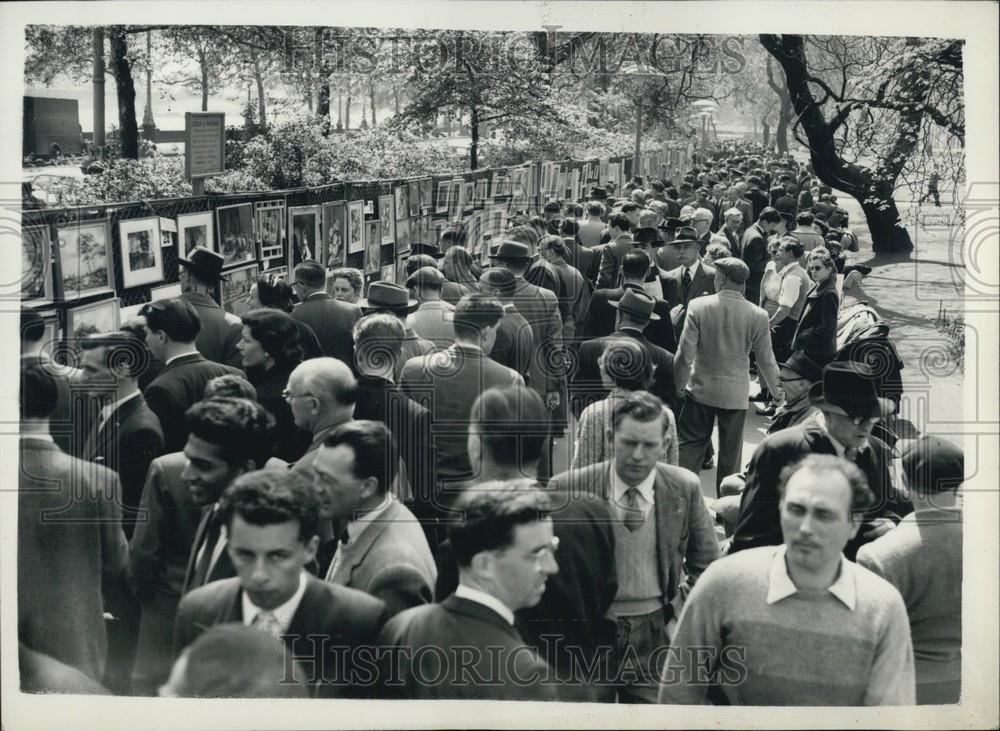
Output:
x,y
685,533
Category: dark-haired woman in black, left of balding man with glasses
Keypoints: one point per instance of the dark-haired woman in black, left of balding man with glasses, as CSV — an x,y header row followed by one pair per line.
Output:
x,y
271,351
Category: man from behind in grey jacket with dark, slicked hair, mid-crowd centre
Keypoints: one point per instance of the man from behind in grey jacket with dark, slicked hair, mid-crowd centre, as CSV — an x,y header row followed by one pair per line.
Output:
x,y
447,382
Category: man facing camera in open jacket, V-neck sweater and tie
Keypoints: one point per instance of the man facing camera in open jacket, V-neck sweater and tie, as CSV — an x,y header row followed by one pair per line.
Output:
x,y
664,537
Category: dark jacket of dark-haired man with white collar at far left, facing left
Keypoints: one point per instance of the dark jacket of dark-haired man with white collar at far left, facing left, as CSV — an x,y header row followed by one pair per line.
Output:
x,y
126,443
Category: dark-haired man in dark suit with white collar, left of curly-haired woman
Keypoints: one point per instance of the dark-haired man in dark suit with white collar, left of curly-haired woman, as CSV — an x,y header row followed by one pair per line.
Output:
x,y
171,328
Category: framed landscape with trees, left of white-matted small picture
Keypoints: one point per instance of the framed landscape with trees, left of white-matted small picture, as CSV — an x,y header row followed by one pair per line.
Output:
x,y
84,253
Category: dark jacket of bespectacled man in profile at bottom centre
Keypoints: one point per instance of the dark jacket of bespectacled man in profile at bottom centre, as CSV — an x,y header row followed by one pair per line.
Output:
x,y
468,637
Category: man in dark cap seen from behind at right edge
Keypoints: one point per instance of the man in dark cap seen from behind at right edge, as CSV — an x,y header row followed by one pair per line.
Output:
x,y
922,558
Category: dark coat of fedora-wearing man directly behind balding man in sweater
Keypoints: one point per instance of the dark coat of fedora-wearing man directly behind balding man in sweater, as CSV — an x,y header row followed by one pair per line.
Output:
x,y
759,522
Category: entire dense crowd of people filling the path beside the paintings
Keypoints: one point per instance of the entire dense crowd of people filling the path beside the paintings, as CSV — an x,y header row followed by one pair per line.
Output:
x,y
353,494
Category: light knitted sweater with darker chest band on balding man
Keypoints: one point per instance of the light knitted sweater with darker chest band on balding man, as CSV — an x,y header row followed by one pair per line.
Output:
x,y
807,648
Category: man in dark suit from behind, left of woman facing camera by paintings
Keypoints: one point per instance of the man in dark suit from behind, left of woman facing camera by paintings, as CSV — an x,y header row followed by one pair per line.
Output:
x,y
330,319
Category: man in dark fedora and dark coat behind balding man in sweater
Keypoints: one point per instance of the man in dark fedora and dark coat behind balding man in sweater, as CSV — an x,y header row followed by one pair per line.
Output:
x,y
849,408
